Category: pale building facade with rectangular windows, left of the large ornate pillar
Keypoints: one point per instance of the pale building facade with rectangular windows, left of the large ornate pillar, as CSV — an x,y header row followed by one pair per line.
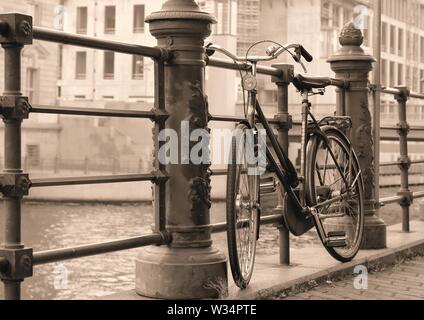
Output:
x,y
95,76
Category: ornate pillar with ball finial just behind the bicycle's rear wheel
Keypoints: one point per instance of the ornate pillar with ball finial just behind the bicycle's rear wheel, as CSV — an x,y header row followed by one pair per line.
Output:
x,y
350,63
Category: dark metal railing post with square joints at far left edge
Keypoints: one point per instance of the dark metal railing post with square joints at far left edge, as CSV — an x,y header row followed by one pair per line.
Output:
x,y
15,32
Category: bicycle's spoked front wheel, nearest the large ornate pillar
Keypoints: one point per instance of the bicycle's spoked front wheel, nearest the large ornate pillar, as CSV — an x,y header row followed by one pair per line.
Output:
x,y
242,210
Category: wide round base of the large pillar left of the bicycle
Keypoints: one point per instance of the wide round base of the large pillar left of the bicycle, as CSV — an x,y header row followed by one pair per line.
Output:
x,y
174,273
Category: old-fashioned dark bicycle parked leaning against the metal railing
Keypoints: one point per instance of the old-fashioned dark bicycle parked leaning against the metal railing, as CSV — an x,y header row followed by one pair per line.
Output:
x,y
327,193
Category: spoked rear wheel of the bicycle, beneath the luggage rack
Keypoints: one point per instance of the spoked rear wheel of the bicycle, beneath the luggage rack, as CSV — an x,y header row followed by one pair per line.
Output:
x,y
333,172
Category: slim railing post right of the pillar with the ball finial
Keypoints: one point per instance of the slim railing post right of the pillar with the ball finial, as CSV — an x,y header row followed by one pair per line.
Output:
x,y
405,161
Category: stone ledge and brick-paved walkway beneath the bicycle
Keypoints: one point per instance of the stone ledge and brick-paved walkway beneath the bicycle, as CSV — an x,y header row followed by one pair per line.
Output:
x,y
313,269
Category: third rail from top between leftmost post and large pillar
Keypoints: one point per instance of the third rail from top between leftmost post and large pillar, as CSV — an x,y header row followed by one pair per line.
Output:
x,y
56,182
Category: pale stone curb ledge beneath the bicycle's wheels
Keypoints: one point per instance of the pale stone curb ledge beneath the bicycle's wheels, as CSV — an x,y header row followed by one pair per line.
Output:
x,y
312,266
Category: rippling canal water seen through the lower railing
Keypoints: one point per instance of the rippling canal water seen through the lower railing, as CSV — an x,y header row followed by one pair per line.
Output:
x,y
52,226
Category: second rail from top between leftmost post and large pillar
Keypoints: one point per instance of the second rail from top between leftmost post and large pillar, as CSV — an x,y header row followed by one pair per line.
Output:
x,y
94,112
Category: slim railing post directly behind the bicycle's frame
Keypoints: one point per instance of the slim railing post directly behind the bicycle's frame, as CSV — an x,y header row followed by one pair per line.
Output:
x,y
285,124
